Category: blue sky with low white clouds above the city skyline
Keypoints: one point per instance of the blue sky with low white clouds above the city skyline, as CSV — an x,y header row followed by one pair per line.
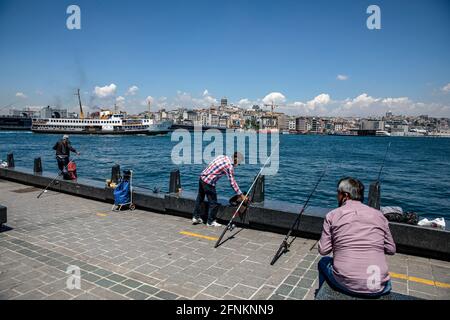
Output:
x,y
175,50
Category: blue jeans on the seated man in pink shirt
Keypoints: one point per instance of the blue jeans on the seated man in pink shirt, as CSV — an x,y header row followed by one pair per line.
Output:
x,y
326,274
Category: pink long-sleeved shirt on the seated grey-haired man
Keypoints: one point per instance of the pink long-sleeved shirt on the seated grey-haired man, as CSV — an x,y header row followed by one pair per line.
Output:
x,y
358,236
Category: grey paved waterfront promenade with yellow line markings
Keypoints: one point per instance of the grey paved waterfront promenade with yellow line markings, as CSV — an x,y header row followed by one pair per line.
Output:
x,y
145,255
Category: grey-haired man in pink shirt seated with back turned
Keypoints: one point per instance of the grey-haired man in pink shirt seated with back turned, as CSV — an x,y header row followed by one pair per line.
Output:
x,y
359,237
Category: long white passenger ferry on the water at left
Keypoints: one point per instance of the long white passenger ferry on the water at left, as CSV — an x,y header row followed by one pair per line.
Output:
x,y
115,124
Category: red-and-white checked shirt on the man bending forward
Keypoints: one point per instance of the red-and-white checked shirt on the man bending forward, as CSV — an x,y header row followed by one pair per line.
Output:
x,y
222,165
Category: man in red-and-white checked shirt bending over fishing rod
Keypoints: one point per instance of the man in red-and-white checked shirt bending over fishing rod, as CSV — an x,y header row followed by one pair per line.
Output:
x,y
220,166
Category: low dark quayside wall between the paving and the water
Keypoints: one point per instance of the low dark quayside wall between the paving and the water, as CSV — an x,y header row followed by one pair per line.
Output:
x,y
273,216
